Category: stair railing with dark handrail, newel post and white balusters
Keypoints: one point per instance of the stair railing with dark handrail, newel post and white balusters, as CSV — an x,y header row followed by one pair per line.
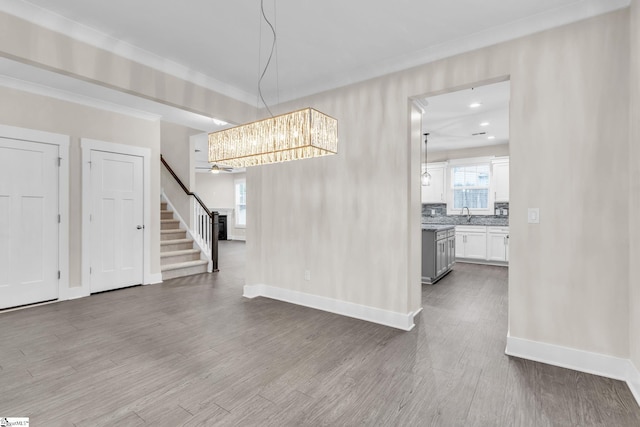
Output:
x,y
205,222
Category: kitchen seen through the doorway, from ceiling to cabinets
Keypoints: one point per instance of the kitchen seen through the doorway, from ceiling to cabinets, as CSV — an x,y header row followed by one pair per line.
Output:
x,y
465,180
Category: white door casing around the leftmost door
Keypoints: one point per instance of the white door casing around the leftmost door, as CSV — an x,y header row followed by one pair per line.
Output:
x,y
62,141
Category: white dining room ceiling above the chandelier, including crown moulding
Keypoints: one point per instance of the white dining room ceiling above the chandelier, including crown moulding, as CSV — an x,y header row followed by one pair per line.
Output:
x,y
321,44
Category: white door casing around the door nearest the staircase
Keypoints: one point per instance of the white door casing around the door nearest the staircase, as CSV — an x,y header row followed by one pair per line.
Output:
x,y
88,145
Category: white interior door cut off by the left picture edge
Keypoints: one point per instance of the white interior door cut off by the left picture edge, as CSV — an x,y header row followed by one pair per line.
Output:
x,y
28,222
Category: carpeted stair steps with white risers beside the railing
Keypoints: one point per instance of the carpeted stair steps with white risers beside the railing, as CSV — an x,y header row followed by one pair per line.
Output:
x,y
178,257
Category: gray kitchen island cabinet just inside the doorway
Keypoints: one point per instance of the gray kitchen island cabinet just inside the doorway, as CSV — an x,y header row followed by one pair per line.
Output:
x,y
438,251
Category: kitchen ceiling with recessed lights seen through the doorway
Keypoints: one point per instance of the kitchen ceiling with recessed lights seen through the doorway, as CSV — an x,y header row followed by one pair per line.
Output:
x,y
452,123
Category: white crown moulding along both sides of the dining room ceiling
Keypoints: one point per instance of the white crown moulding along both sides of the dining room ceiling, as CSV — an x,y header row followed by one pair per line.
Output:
x,y
557,17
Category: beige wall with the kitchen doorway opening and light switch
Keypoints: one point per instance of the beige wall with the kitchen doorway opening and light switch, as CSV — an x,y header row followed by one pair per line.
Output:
x,y
350,219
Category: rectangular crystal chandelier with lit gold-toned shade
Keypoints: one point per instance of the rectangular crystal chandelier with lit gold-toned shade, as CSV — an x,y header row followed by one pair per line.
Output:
x,y
297,135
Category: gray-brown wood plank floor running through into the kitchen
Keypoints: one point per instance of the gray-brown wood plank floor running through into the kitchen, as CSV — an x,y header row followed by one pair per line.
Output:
x,y
192,351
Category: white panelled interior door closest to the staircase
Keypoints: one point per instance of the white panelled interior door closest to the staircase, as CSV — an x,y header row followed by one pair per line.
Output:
x,y
116,221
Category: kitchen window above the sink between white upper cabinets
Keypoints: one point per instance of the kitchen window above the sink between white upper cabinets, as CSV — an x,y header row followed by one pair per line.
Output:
x,y
470,188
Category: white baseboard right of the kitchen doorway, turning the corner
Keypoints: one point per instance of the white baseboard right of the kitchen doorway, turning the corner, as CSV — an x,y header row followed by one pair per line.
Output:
x,y
577,360
